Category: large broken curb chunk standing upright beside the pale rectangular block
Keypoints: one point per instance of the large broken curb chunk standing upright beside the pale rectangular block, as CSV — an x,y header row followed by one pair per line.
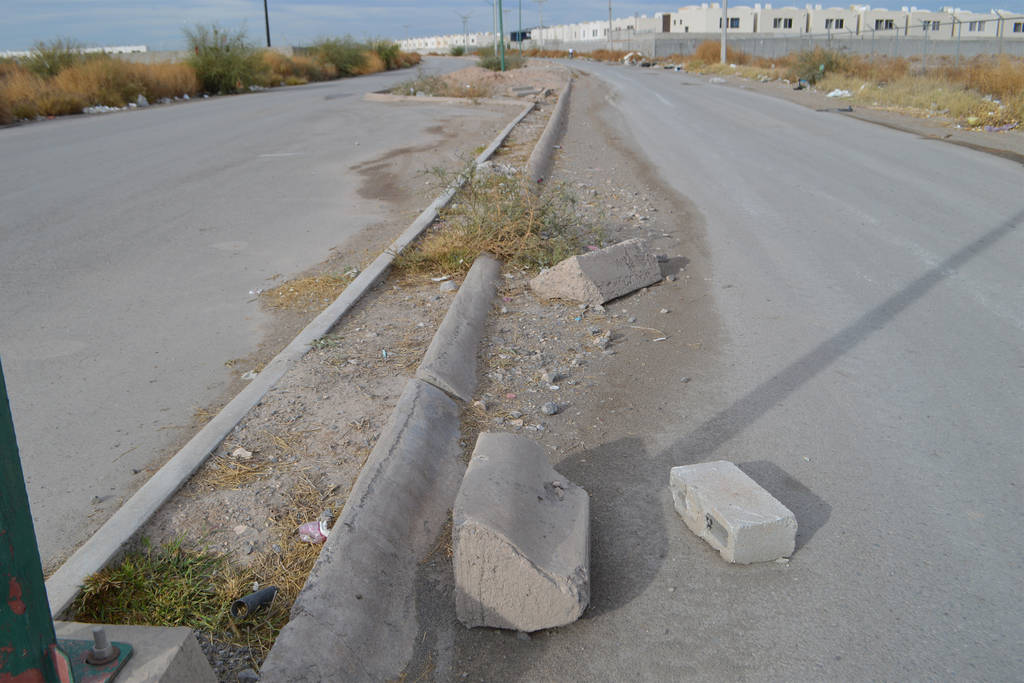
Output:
x,y
522,540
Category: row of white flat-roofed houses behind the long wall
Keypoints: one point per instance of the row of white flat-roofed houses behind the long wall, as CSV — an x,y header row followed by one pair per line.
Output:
x,y
707,18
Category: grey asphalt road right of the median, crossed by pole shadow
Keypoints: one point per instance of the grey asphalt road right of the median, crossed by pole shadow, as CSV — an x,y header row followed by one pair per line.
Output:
x,y
869,371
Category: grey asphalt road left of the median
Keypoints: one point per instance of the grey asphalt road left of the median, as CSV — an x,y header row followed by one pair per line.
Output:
x,y
130,244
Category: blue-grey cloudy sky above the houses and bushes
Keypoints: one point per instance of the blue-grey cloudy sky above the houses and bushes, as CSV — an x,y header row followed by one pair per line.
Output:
x,y
159,24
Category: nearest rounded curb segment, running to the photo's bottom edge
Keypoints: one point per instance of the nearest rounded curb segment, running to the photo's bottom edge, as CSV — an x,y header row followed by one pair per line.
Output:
x,y
356,617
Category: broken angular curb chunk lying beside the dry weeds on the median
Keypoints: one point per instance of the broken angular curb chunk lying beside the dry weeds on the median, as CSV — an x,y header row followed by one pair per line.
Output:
x,y
601,276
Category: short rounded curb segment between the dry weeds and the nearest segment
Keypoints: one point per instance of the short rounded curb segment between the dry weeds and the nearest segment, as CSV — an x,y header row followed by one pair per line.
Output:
x,y
450,363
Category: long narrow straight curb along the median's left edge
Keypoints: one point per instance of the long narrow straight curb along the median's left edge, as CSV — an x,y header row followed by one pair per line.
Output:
x,y
95,554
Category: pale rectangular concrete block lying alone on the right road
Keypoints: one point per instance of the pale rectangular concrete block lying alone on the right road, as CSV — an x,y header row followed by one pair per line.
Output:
x,y
733,513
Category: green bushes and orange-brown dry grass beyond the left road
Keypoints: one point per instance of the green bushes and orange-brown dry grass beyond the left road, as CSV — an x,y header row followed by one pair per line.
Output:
x,y
59,79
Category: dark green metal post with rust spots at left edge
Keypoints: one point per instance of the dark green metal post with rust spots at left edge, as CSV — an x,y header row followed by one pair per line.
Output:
x,y
27,635
